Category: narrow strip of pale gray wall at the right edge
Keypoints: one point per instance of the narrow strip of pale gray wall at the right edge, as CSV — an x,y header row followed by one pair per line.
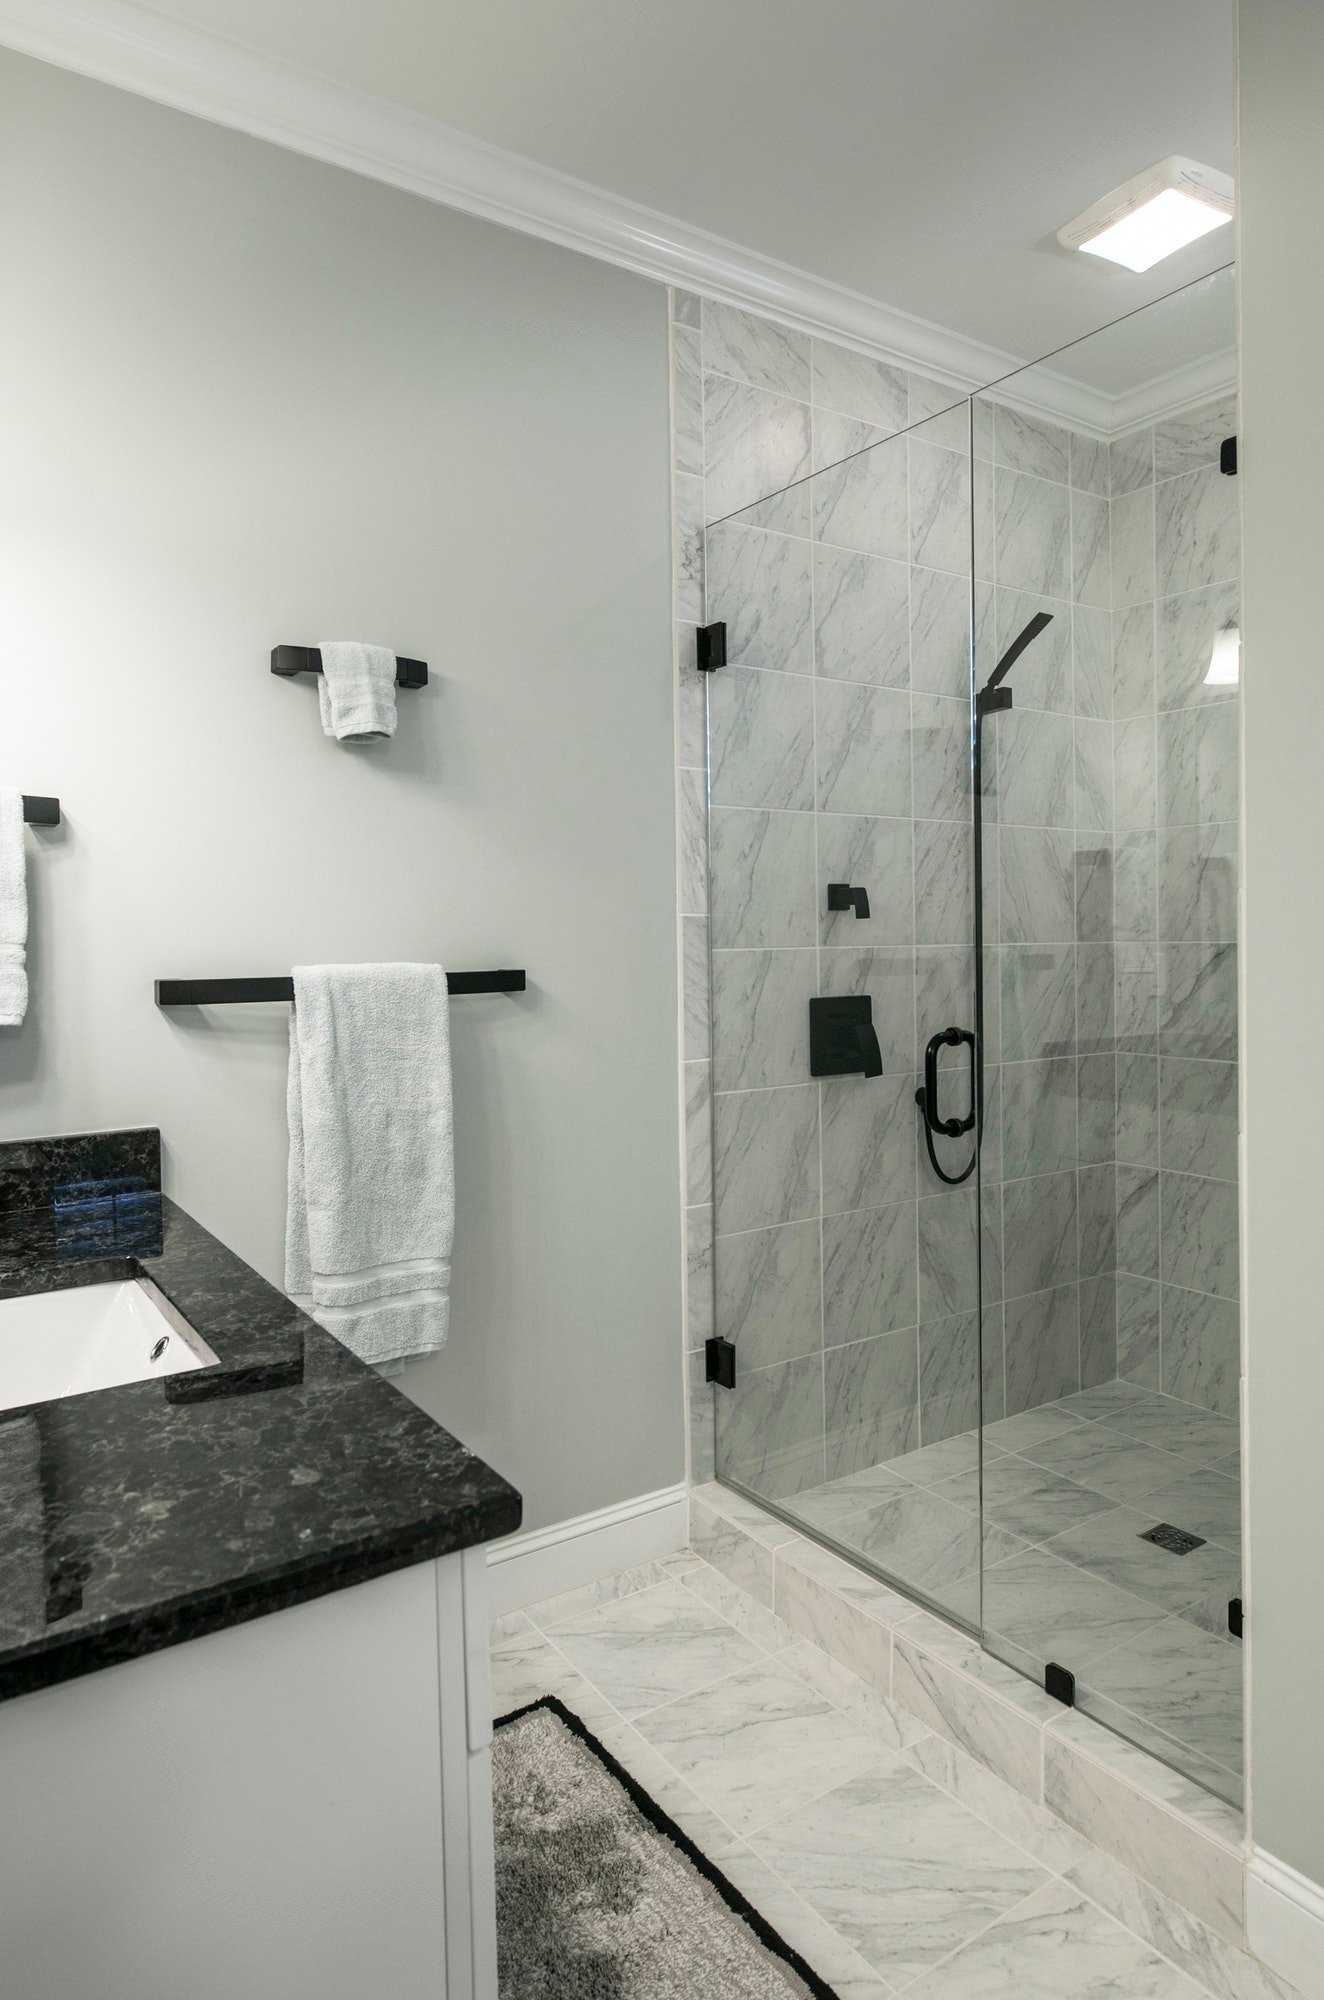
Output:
x,y
1283,523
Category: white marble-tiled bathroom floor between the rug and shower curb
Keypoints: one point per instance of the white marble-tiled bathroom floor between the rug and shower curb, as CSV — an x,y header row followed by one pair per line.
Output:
x,y
887,1871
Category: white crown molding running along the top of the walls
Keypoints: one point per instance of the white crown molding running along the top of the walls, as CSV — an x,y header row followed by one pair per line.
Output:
x,y
251,91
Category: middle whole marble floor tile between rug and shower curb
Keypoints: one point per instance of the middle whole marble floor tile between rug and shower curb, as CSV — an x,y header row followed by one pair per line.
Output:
x,y
759,1743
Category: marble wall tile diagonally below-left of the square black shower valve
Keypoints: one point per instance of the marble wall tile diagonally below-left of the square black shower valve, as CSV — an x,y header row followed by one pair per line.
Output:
x,y
765,1159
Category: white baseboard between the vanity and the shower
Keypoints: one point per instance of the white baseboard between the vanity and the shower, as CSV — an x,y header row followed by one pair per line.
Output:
x,y
571,1553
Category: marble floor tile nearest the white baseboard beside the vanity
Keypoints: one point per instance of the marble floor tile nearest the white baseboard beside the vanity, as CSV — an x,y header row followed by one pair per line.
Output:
x,y
653,1647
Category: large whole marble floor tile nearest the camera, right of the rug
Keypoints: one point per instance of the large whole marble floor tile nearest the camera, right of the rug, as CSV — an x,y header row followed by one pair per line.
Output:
x,y
899,1867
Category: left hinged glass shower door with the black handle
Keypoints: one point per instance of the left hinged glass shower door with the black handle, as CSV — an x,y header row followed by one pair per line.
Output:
x,y
841,929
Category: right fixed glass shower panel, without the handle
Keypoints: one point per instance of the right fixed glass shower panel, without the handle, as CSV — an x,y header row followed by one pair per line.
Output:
x,y
1109,975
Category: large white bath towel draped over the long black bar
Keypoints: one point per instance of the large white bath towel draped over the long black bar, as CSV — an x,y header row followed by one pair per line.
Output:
x,y
371,1193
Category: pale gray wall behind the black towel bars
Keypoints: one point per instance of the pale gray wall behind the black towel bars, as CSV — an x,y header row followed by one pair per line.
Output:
x,y
247,401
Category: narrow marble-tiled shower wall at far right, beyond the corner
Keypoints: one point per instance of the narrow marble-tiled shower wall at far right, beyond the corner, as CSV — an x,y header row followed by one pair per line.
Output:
x,y
1177,583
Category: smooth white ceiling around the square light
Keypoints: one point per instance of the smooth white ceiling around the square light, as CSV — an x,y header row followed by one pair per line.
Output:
x,y
921,153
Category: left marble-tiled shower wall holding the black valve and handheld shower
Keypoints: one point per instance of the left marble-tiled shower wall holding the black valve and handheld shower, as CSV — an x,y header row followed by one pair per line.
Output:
x,y
853,1307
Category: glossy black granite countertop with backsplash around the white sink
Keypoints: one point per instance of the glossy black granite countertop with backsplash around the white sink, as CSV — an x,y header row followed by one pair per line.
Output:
x,y
133,1519
